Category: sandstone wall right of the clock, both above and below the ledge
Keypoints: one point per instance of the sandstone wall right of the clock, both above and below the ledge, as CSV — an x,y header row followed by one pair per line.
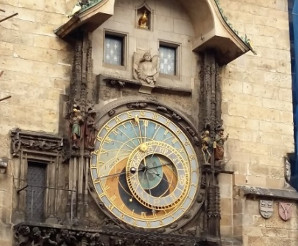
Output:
x,y
257,113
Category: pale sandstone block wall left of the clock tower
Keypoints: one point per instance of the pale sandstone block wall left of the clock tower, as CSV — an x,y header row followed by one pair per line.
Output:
x,y
36,67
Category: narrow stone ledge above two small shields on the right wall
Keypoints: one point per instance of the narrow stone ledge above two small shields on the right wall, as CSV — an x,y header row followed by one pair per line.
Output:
x,y
288,194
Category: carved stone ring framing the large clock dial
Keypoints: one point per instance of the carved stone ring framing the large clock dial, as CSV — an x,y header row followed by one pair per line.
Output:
x,y
193,216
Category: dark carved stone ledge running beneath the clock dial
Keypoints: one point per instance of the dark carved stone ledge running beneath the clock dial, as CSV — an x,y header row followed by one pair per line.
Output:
x,y
108,235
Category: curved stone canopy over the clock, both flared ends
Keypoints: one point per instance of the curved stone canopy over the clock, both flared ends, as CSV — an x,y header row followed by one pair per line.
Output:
x,y
212,32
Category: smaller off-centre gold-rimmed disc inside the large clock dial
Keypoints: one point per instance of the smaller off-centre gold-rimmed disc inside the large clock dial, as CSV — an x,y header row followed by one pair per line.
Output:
x,y
157,175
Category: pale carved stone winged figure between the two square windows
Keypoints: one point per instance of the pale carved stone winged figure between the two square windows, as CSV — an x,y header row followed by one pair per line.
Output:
x,y
146,68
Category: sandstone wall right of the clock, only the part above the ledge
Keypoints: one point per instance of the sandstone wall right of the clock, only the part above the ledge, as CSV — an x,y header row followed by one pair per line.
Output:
x,y
257,94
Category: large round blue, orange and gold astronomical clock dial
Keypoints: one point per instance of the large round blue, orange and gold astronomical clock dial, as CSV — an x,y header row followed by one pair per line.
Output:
x,y
144,169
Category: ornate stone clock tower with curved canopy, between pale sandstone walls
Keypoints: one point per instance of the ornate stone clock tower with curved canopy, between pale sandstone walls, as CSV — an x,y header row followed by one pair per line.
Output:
x,y
143,142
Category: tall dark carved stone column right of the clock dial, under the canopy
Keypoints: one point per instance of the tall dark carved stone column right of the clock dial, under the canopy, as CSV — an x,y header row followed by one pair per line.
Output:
x,y
210,115
